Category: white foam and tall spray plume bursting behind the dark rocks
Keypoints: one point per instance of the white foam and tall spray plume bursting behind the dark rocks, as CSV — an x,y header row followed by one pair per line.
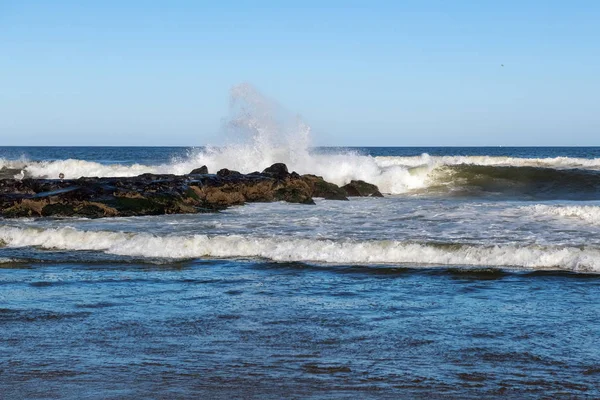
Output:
x,y
260,133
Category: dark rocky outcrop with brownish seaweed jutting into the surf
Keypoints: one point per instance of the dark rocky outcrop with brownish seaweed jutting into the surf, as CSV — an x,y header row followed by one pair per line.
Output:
x,y
150,194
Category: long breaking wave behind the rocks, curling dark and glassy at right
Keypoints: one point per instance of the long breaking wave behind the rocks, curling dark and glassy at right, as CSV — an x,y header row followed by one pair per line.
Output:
x,y
393,175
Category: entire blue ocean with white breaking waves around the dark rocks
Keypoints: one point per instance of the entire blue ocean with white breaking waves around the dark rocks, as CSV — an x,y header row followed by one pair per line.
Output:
x,y
477,275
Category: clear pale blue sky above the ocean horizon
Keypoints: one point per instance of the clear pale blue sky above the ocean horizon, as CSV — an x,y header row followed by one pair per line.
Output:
x,y
395,73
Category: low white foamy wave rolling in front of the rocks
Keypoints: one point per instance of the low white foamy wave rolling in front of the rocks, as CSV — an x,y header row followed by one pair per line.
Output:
x,y
578,259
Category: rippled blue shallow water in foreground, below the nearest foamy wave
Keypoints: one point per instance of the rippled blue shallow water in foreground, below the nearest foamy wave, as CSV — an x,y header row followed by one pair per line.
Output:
x,y
220,329
